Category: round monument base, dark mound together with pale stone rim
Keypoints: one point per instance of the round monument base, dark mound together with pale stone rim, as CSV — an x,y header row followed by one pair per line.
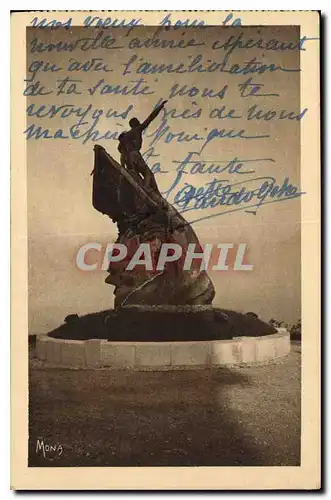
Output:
x,y
161,338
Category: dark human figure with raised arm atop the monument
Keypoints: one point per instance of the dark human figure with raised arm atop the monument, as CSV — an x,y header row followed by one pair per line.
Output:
x,y
130,144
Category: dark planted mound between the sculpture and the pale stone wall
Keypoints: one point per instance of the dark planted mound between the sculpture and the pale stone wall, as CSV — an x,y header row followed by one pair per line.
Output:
x,y
162,324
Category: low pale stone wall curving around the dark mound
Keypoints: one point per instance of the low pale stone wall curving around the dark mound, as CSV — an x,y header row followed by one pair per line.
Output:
x,y
98,353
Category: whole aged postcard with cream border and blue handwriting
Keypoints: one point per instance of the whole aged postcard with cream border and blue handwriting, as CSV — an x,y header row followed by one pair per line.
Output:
x,y
165,250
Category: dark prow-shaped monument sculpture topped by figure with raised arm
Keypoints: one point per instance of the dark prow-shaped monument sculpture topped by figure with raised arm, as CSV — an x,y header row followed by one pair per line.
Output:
x,y
129,195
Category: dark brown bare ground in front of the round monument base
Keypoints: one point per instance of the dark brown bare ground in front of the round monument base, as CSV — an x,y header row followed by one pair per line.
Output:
x,y
240,416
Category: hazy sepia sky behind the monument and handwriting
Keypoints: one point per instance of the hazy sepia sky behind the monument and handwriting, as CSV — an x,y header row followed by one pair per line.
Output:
x,y
60,214
